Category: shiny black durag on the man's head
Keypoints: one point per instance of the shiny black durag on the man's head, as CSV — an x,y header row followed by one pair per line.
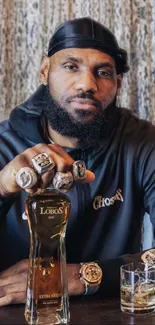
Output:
x,y
88,33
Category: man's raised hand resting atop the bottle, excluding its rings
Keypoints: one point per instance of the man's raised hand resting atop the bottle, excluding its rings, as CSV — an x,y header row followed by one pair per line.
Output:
x,y
63,163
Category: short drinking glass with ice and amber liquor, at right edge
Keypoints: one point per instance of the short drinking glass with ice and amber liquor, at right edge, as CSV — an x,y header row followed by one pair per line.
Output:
x,y
137,288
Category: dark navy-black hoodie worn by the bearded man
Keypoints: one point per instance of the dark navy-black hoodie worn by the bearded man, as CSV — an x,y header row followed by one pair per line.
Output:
x,y
106,215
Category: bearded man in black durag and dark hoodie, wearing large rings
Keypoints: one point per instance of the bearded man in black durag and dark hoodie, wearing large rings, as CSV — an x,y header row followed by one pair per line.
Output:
x,y
73,118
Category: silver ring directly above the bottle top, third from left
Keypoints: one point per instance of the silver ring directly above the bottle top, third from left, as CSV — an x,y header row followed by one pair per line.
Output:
x,y
62,181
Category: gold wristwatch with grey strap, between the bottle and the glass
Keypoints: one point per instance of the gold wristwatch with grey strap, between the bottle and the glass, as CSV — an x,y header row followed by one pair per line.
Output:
x,y
91,275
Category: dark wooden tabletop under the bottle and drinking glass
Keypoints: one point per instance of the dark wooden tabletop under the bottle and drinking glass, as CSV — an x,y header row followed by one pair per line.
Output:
x,y
83,311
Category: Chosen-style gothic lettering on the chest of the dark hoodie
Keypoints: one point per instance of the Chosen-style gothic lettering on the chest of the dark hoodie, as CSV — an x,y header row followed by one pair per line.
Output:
x,y
101,202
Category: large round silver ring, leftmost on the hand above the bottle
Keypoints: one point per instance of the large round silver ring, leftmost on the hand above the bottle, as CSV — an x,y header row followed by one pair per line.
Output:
x,y
26,178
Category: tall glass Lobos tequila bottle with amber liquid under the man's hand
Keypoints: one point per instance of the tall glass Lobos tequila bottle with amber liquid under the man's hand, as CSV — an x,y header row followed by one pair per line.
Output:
x,y
47,286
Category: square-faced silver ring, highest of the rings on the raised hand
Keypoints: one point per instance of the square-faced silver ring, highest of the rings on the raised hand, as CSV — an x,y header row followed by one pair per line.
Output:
x,y
42,163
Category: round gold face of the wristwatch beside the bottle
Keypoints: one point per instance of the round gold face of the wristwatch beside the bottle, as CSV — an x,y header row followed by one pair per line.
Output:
x,y
92,272
